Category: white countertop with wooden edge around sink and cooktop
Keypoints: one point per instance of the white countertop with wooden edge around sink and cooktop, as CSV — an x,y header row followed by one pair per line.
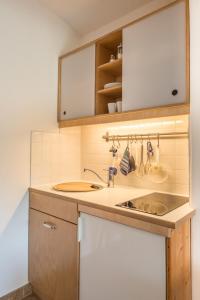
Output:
x,y
108,198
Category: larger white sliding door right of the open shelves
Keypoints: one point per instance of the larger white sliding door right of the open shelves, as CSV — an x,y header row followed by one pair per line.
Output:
x,y
154,60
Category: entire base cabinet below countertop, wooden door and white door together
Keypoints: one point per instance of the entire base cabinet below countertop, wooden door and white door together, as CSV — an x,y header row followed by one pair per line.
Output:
x,y
113,261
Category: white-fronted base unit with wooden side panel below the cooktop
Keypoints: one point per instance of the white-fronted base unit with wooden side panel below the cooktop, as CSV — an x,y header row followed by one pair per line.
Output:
x,y
121,262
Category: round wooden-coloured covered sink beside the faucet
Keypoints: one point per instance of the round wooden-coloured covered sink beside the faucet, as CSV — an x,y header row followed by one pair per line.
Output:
x,y
78,186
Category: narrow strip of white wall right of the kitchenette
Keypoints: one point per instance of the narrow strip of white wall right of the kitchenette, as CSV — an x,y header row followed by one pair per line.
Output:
x,y
195,125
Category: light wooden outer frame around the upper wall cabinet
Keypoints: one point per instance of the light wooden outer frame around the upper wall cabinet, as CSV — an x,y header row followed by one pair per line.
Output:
x,y
169,110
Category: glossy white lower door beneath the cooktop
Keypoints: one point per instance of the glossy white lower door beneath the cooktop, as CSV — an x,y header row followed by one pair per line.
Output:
x,y
118,262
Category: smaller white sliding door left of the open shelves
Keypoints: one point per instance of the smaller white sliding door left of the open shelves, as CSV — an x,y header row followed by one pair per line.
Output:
x,y
78,84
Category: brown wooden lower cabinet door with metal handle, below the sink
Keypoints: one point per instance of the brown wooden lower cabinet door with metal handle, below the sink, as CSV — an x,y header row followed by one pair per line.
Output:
x,y
53,257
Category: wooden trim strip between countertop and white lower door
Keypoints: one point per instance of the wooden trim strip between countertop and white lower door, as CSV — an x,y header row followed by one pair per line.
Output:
x,y
153,228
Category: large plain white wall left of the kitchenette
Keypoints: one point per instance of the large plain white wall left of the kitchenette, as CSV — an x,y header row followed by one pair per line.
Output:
x,y
32,38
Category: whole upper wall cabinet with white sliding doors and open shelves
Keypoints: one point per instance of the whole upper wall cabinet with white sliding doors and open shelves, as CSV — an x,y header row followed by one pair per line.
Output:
x,y
140,69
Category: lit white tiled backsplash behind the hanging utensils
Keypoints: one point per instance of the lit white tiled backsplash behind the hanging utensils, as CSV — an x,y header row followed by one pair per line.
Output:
x,y
174,153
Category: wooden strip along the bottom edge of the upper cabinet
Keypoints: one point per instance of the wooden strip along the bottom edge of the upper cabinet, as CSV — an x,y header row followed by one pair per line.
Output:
x,y
141,114
